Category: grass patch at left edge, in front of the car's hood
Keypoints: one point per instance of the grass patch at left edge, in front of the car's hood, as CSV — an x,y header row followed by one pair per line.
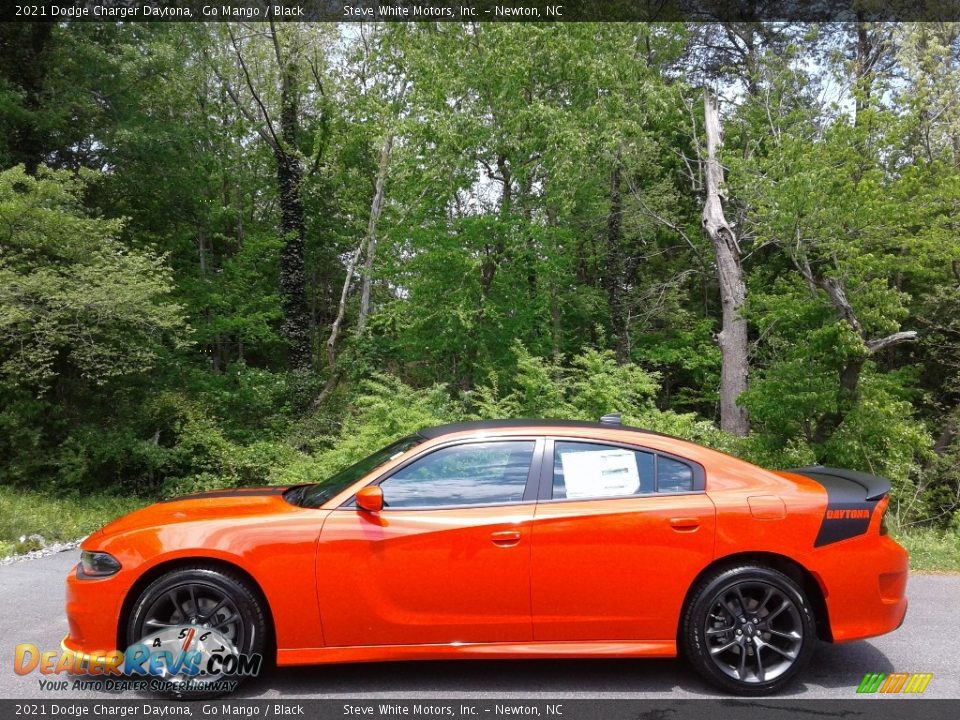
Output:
x,y
55,517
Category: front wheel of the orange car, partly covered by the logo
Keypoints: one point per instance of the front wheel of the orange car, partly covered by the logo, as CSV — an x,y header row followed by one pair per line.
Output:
x,y
202,593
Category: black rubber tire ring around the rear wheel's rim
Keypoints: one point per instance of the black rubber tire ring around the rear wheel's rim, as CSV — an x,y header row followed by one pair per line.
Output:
x,y
694,638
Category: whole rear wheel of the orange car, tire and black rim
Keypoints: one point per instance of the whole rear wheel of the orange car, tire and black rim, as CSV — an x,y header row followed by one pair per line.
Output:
x,y
748,629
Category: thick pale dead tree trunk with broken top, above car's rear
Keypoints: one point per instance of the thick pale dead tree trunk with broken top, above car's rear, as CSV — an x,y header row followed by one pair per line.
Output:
x,y
733,289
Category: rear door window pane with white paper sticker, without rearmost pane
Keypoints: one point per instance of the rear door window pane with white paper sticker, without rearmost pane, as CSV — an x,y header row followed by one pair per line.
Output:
x,y
587,470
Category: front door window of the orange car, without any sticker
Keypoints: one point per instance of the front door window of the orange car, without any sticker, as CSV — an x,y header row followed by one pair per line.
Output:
x,y
469,474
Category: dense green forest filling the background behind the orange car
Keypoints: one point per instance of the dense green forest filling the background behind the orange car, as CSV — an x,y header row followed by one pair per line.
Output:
x,y
233,254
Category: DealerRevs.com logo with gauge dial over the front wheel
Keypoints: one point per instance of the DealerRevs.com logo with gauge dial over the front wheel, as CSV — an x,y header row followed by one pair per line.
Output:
x,y
176,659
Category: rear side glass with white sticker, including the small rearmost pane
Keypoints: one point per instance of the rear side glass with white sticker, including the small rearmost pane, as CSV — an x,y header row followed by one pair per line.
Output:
x,y
593,471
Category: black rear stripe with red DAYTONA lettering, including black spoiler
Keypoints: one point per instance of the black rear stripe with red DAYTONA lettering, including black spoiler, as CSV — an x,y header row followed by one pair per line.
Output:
x,y
851,499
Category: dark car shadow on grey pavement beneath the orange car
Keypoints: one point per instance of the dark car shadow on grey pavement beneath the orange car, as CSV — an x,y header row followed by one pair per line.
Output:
x,y
832,667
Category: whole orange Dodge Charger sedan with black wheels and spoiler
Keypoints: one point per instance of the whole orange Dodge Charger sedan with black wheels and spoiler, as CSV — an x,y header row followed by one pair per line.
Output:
x,y
512,539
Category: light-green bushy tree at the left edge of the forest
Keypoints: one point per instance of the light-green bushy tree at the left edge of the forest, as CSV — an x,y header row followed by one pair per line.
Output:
x,y
81,316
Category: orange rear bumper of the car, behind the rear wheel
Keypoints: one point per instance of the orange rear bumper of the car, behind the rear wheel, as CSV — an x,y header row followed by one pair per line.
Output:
x,y
865,583
